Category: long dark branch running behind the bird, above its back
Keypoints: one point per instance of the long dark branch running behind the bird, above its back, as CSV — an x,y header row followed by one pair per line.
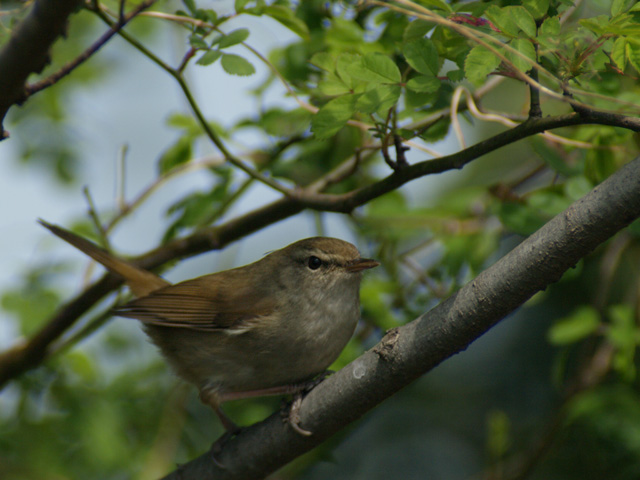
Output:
x,y
25,356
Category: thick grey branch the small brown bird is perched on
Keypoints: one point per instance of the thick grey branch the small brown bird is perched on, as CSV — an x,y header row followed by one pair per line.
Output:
x,y
408,352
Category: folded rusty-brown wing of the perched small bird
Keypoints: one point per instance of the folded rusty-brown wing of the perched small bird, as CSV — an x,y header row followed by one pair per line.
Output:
x,y
206,303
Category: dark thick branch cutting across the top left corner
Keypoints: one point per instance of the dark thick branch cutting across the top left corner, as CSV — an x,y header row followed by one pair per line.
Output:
x,y
27,51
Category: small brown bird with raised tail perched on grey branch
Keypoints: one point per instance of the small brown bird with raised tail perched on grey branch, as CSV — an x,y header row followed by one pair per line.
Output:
x,y
267,328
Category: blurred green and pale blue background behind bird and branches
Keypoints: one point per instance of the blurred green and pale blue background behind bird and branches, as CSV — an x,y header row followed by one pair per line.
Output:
x,y
105,405
